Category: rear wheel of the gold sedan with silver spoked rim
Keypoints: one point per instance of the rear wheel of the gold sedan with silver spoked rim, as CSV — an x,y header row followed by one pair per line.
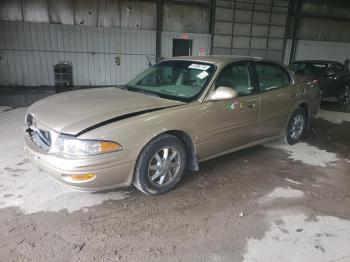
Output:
x,y
296,127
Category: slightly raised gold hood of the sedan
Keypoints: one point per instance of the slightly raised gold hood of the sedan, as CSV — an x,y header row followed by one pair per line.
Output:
x,y
72,112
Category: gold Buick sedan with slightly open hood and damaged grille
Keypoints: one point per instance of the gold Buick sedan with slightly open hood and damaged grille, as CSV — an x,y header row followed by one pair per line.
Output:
x,y
172,116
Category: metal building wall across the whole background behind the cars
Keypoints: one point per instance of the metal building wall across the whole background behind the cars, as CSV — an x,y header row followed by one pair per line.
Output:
x,y
107,42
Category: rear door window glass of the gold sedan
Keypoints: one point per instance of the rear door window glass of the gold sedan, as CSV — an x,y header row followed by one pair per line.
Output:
x,y
271,76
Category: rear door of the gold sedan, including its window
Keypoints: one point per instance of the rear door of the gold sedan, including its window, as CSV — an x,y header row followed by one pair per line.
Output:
x,y
277,98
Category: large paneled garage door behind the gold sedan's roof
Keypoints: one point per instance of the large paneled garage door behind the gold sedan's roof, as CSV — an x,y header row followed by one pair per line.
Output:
x,y
251,27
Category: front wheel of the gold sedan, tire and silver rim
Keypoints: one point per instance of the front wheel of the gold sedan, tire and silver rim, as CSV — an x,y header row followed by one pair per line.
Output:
x,y
160,165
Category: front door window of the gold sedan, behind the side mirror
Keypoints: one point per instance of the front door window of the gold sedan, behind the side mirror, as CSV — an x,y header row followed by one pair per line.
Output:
x,y
238,78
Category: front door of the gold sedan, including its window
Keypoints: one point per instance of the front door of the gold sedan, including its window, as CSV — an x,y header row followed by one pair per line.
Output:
x,y
231,123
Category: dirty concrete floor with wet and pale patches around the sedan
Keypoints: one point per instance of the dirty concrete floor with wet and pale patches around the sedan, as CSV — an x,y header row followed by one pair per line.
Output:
x,y
267,203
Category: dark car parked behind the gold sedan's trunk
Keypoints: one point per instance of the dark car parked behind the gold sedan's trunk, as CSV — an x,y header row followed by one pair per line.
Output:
x,y
333,77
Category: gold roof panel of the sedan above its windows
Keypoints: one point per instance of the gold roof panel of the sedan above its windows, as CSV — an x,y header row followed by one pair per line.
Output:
x,y
221,59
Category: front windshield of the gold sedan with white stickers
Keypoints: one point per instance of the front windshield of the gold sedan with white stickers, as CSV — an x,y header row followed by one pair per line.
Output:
x,y
177,80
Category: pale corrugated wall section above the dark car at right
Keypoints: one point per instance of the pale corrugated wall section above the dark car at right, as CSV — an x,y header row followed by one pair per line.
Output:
x,y
334,51
